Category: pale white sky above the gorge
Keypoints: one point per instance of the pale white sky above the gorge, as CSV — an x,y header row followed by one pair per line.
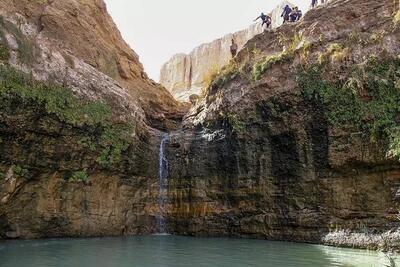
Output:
x,y
158,29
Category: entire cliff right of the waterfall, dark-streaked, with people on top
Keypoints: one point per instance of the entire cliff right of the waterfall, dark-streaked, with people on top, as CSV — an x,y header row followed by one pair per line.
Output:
x,y
275,152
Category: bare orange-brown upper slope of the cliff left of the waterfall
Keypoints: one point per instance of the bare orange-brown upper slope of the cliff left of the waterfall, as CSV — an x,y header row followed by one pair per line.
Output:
x,y
83,30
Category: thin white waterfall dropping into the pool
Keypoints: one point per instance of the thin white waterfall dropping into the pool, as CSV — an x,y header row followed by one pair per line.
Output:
x,y
163,186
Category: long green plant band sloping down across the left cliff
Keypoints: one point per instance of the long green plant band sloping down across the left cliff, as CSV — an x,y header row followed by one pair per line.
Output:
x,y
113,138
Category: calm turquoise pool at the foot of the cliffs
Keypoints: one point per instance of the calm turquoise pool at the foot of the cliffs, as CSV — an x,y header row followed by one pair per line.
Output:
x,y
174,251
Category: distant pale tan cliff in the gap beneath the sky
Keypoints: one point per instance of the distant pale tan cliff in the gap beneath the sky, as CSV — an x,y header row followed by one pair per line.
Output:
x,y
184,75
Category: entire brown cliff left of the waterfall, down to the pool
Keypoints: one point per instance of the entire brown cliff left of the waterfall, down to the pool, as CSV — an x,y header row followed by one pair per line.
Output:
x,y
76,108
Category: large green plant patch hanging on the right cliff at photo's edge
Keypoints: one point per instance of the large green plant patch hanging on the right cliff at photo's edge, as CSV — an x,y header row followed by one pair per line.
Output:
x,y
369,98
